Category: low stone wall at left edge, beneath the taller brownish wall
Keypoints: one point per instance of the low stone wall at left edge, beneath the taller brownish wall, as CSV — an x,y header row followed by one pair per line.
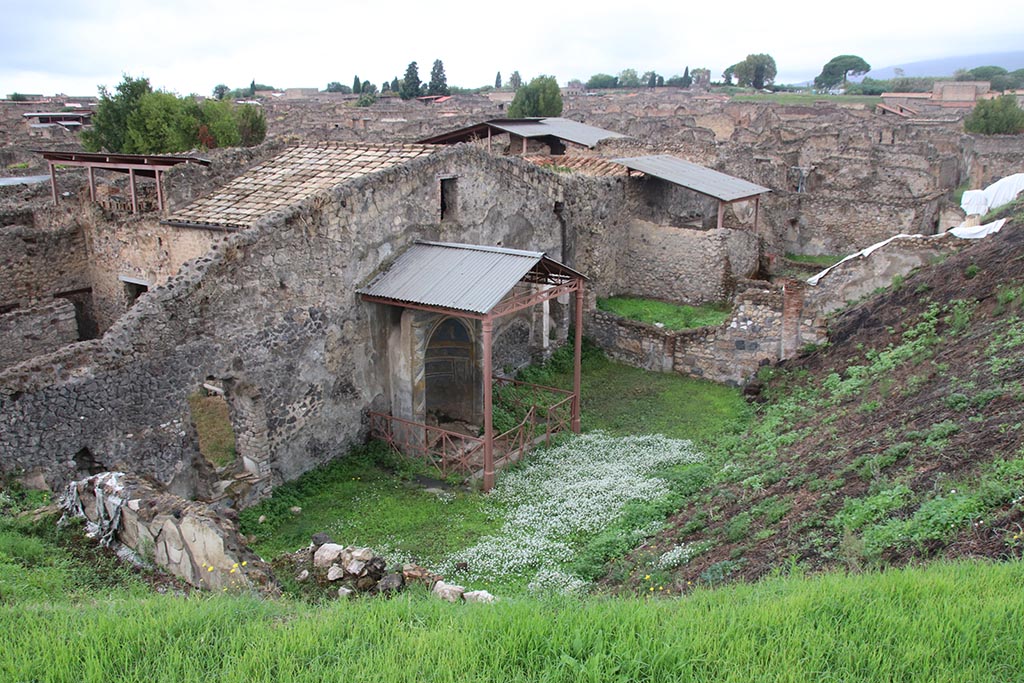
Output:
x,y
40,329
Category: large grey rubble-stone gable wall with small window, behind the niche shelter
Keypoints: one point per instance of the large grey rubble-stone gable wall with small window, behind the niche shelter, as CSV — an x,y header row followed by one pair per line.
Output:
x,y
273,315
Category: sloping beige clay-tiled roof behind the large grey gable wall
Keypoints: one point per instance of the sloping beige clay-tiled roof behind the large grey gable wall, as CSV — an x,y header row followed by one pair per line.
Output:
x,y
291,178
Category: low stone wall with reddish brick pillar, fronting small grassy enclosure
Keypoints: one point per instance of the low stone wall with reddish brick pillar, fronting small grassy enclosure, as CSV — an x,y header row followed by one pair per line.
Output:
x,y
769,323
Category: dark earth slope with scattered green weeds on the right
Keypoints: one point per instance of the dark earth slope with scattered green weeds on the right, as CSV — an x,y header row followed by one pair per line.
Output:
x,y
900,442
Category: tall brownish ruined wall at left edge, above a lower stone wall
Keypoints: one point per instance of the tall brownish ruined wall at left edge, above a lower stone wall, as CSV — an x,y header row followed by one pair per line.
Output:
x,y
45,253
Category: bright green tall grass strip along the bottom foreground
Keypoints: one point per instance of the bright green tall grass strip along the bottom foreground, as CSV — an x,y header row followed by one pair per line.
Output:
x,y
946,623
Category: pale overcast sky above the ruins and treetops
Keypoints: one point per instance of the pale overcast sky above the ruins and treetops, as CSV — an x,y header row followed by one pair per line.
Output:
x,y
192,46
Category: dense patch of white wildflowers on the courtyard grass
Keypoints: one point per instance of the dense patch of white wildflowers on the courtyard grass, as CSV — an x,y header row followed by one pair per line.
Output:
x,y
563,496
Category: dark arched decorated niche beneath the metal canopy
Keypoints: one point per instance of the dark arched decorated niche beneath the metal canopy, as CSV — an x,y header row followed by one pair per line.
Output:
x,y
452,377
